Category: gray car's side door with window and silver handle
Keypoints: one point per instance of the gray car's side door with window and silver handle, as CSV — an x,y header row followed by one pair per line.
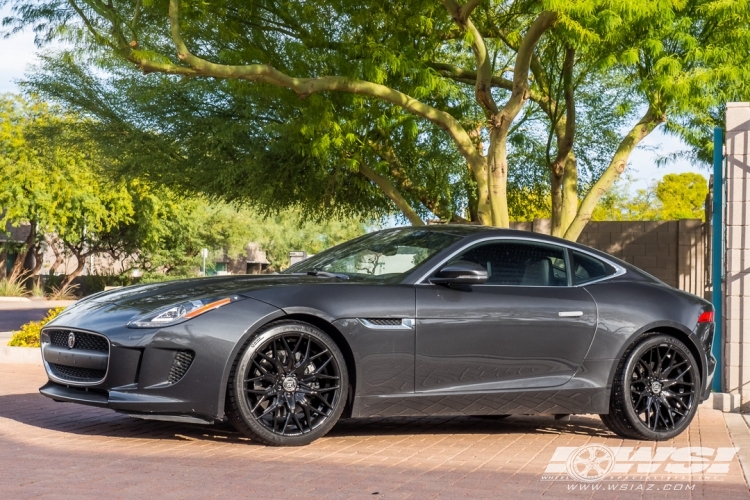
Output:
x,y
525,328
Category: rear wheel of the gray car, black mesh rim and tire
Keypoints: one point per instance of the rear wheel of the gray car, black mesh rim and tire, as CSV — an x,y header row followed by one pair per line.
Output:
x,y
655,390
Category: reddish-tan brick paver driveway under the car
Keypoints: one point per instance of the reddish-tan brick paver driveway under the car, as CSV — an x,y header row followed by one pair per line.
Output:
x,y
56,450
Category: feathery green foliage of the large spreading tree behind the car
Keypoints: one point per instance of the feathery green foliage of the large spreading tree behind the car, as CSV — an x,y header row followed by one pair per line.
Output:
x,y
267,147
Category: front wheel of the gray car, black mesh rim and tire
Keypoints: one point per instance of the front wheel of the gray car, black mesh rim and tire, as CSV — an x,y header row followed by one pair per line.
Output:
x,y
288,386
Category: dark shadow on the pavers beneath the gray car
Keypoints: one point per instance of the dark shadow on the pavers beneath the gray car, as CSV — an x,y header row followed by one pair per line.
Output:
x,y
37,411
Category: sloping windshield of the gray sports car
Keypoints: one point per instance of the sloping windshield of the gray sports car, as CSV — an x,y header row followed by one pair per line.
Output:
x,y
382,256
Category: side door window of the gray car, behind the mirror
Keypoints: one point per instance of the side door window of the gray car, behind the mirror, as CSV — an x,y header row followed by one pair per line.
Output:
x,y
519,263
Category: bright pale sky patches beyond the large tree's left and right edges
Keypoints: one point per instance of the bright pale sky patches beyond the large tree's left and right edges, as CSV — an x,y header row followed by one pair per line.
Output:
x,y
19,52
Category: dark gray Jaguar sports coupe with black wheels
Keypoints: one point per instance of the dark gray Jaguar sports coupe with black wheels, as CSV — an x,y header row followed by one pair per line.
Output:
x,y
439,320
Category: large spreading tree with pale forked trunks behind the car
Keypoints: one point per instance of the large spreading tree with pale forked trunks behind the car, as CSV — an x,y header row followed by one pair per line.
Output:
x,y
414,66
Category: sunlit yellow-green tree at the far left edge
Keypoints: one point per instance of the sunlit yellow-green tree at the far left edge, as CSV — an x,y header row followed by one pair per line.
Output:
x,y
54,179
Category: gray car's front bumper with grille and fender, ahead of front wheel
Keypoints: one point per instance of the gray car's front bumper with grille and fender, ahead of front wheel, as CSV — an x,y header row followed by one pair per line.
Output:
x,y
177,373
